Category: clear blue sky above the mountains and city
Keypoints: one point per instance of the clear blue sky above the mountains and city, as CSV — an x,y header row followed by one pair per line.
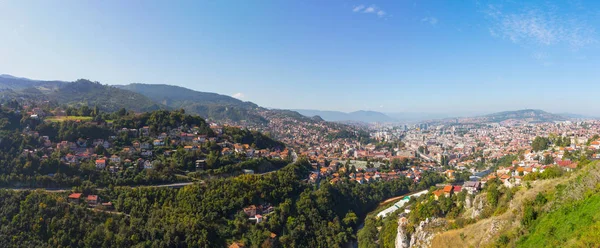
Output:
x,y
388,56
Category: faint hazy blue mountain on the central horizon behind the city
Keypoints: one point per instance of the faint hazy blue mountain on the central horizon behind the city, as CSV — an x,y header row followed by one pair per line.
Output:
x,y
338,116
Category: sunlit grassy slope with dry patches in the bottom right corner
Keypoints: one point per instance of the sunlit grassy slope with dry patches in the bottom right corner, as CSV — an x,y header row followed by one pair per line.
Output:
x,y
570,217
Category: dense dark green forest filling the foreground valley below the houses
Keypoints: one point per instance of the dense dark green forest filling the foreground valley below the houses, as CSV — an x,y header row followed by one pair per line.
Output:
x,y
200,215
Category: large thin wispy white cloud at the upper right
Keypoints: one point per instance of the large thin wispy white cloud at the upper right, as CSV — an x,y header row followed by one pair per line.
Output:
x,y
541,27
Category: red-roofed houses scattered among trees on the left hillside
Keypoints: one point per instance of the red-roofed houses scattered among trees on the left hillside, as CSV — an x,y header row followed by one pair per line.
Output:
x,y
144,149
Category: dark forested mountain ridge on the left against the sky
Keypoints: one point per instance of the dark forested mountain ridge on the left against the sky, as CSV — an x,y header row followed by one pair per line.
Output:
x,y
143,97
